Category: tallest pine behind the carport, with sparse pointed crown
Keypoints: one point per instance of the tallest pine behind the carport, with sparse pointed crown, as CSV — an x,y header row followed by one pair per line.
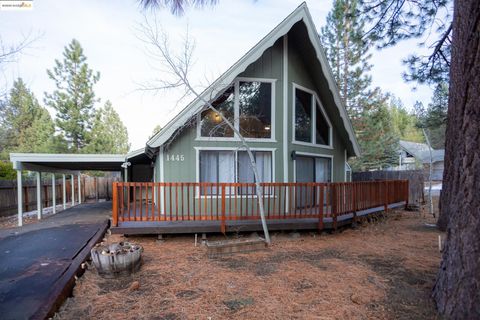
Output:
x,y
74,98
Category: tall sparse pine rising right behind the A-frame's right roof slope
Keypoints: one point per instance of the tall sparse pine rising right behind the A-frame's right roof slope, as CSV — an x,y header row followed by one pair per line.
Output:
x,y
347,52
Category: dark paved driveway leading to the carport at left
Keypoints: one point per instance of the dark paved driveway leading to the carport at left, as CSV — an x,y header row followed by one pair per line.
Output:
x,y
38,261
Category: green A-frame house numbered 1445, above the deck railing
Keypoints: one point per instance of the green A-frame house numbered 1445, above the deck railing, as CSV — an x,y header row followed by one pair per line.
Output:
x,y
282,96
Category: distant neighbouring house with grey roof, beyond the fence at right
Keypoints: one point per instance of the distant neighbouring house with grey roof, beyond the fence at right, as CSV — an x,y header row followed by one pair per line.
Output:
x,y
414,155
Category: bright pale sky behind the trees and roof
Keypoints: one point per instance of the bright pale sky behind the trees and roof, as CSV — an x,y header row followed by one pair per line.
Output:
x,y
108,32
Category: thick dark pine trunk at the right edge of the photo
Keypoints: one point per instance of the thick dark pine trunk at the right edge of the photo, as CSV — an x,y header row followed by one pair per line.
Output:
x,y
457,290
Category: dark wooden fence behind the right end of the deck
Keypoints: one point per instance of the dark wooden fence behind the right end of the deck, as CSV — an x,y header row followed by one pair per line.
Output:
x,y
415,182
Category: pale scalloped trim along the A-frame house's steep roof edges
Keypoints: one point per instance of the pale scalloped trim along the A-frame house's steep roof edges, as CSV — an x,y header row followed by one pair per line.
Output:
x,y
301,13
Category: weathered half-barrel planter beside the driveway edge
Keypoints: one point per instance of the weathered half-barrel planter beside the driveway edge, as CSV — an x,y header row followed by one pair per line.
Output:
x,y
117,259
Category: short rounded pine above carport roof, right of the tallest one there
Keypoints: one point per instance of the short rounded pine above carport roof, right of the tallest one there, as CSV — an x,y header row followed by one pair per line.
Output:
x,y
109,134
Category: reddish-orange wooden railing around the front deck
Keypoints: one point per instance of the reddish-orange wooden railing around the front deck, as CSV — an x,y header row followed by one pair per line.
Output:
x,y
148,201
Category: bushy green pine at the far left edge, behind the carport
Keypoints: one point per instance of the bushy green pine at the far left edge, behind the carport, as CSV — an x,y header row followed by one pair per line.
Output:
x,y
26,126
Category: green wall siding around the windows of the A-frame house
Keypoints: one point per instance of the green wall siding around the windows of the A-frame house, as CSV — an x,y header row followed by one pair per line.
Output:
x,y
180,154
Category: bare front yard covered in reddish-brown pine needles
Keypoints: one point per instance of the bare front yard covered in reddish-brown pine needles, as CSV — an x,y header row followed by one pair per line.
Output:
x,y
384,269
